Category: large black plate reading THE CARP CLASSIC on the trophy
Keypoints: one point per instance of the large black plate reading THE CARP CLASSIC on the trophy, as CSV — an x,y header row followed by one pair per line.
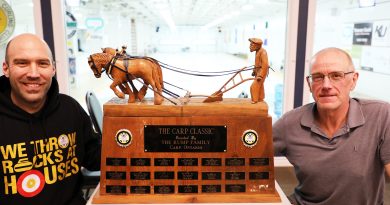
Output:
x,y
162,138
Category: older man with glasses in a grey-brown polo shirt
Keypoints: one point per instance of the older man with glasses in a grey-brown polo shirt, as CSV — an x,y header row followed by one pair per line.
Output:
x,y
339,146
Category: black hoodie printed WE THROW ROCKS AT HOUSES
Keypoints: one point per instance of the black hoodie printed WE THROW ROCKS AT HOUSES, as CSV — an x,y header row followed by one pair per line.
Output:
x,y
41,154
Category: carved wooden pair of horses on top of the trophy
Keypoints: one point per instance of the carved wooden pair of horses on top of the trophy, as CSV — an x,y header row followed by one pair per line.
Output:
x,y
123,70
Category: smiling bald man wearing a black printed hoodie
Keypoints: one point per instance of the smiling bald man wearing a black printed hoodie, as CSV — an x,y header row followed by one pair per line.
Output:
x,y
45,137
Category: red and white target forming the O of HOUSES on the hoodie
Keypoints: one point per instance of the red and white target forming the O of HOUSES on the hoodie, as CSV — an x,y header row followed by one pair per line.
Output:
x,y
30,183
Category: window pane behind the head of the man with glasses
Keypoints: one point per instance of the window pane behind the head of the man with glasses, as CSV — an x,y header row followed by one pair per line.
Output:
x,y
365,33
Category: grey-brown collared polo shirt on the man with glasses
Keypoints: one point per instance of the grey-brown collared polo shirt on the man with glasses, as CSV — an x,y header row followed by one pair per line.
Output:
x,y
346,169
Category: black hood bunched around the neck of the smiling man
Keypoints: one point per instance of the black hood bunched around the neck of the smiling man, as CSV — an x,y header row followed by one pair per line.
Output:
x,y
7,107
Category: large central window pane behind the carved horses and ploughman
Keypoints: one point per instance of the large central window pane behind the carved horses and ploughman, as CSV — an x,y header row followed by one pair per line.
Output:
x,y
201,36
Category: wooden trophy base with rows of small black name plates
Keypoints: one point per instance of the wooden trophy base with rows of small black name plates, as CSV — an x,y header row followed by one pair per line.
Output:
x,y
217,152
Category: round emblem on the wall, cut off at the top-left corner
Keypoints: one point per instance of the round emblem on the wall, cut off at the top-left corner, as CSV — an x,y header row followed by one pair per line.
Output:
x,y
7,21
